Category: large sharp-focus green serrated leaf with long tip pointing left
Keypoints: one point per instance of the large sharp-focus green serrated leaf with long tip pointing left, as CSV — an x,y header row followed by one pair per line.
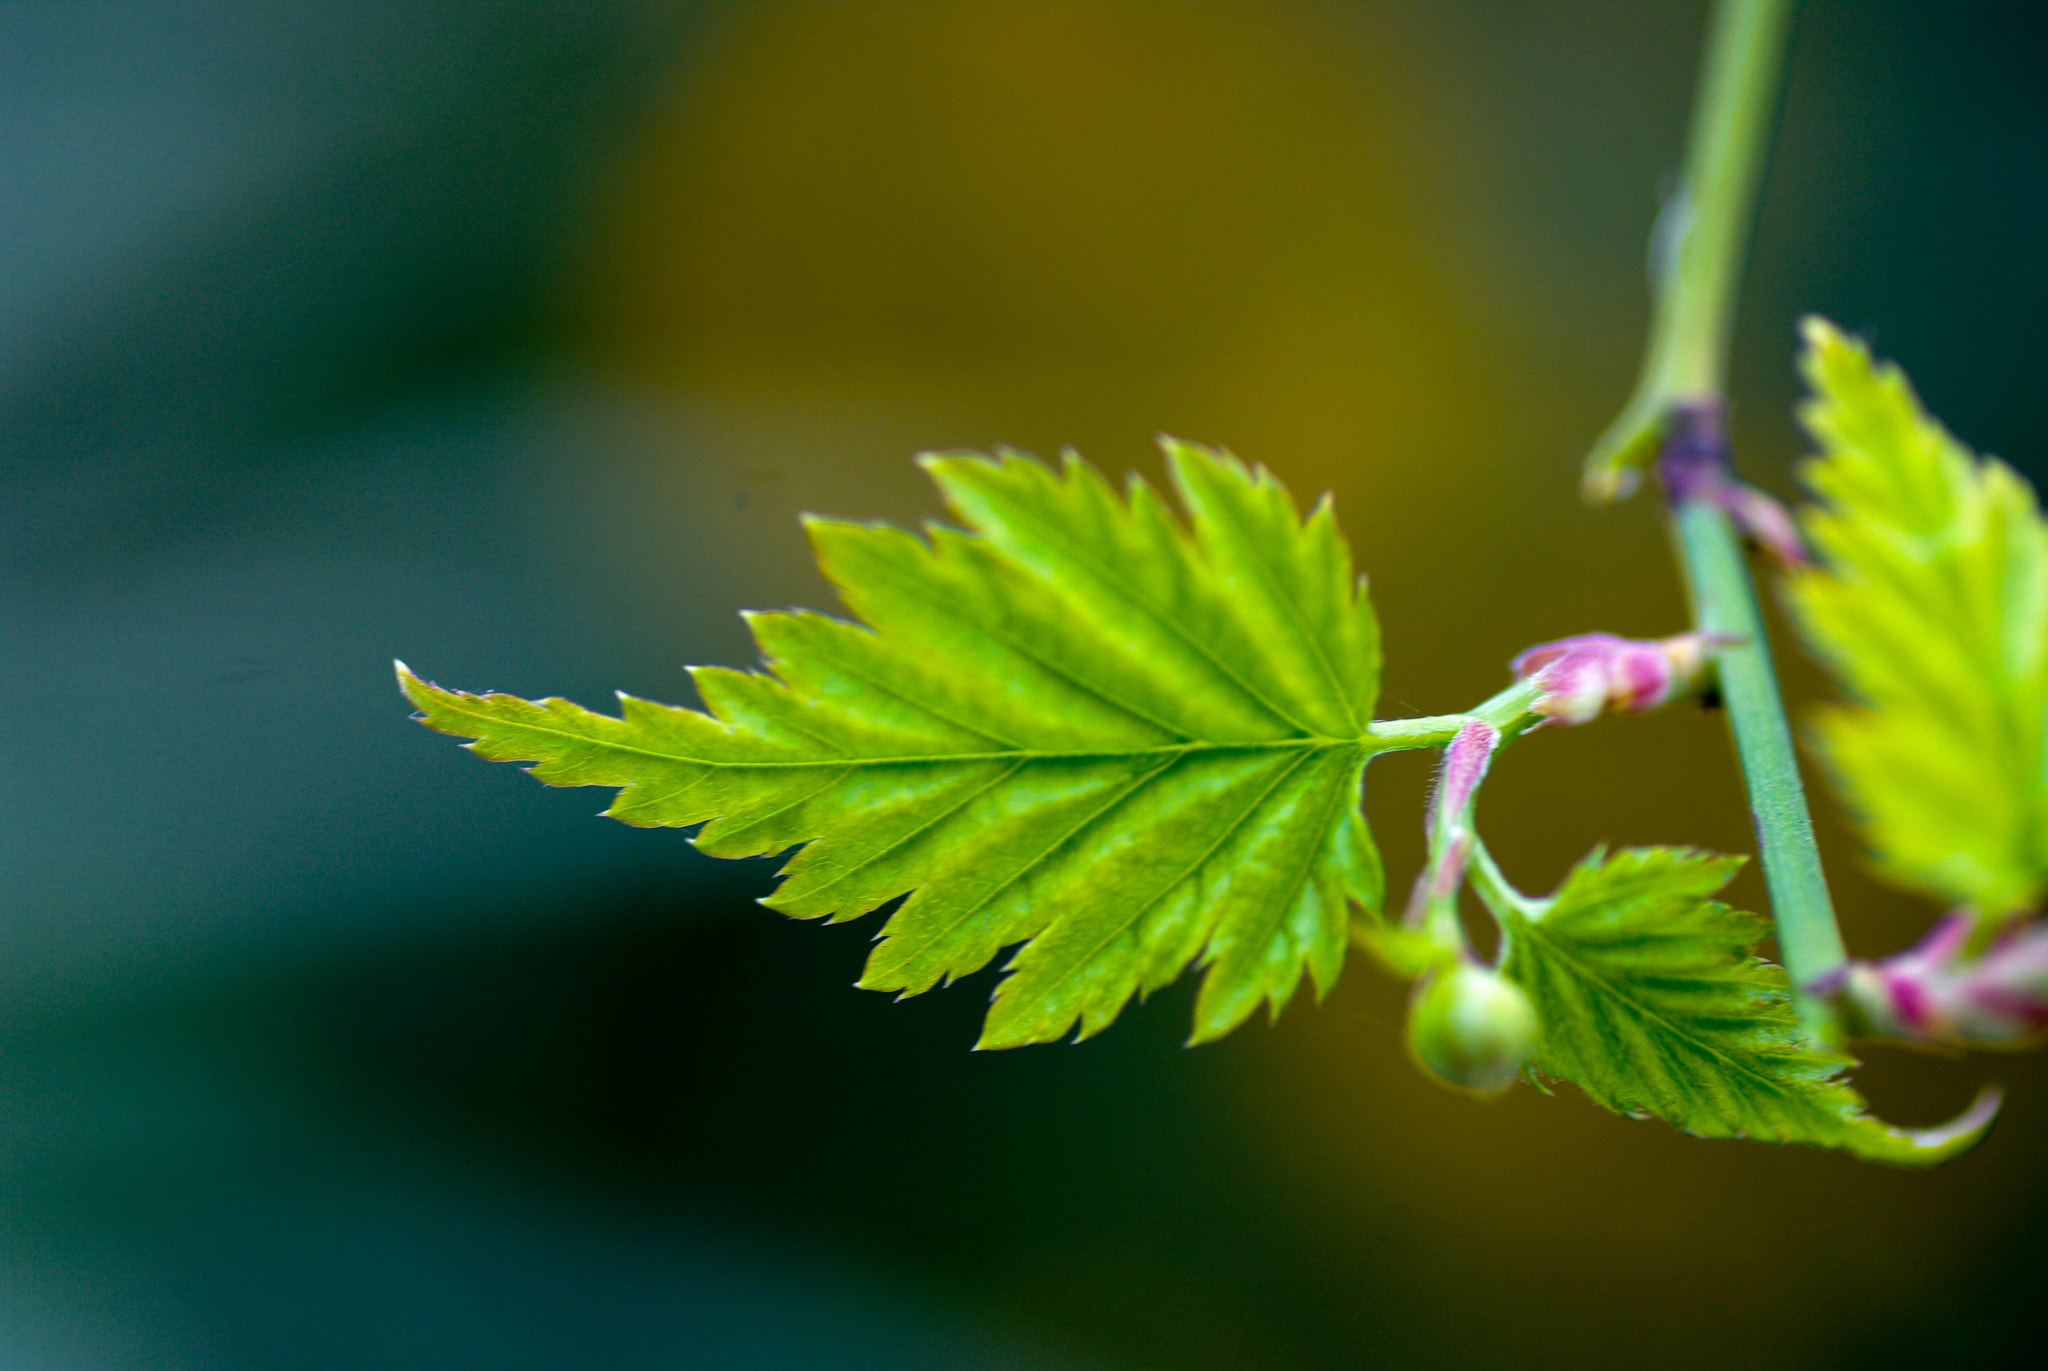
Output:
x,y
1123,741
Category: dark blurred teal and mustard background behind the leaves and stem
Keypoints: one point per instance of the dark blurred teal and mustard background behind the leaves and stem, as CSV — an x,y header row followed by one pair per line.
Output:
x,y
513,337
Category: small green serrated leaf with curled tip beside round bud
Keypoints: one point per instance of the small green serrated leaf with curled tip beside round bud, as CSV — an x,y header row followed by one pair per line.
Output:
x,y
1654,1003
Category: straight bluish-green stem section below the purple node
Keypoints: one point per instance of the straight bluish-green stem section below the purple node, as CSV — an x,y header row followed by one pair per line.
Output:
x,y
1727,604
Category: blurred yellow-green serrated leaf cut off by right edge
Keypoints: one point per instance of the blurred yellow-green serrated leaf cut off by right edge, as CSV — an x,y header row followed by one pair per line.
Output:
x,y
1930,606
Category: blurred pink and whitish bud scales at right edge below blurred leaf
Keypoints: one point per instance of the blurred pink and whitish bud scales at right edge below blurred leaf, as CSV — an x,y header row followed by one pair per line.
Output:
x,y
1940,993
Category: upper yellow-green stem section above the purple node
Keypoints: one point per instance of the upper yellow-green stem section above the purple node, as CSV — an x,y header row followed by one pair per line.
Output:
x,y
1711,214
